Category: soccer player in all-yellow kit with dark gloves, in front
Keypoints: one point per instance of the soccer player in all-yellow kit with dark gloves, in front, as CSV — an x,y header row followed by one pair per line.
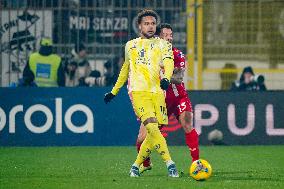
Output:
x,y
144,58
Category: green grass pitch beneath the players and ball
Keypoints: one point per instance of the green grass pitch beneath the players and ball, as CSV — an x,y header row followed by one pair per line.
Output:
x,y
107,167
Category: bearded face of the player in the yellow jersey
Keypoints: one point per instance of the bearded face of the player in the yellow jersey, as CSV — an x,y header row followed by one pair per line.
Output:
x,y
148,26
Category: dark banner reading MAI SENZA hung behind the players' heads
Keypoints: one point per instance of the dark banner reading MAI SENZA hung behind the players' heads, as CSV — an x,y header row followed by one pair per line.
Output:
x,y
114,27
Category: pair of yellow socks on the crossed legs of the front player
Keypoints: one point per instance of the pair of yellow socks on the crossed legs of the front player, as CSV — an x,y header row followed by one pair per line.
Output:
x,y
154,139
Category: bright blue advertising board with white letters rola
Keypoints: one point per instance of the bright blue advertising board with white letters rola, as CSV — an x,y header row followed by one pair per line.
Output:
x,y
65,116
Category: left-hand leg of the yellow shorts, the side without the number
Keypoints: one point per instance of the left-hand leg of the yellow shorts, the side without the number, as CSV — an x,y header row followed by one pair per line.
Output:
x,y
143,105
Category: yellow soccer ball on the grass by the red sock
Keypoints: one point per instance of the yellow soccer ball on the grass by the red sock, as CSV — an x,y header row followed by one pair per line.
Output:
x,y
200,170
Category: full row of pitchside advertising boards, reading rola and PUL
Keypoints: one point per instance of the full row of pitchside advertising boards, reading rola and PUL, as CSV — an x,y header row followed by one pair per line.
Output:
x,y
78,116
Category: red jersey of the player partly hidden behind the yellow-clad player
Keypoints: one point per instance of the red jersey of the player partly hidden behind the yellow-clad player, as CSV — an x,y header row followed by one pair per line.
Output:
x,y
177,90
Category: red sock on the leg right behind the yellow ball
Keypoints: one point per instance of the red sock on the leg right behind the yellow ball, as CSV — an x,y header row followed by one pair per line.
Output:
x,y
192,141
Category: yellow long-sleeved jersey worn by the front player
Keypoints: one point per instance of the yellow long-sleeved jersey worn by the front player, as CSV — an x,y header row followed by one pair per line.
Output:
x,y
144,59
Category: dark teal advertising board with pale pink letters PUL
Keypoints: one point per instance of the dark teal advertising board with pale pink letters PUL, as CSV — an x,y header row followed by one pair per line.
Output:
x,y
243,117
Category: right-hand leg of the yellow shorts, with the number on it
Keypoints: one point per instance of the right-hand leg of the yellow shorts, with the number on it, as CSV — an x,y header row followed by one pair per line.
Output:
x,y
160,108
